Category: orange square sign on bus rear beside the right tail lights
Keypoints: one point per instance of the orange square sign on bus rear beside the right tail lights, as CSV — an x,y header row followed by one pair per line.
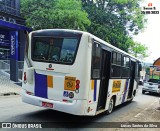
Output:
x,y
69,83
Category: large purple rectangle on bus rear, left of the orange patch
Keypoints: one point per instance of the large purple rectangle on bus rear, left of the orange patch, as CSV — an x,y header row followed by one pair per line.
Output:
x,y
40,85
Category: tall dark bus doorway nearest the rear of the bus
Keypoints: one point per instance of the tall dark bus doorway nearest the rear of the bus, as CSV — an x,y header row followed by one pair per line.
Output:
x,y
105,74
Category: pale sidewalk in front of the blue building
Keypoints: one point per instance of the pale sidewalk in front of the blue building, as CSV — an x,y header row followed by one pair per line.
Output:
x,y
7,87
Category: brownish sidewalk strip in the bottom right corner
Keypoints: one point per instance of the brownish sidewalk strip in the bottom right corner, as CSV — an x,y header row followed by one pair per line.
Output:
x,y
149,116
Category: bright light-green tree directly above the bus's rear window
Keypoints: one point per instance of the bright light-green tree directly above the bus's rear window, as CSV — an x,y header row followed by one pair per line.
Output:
x,y
54,14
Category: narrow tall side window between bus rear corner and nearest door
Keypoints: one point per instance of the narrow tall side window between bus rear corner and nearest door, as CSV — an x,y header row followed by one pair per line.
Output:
x,y
96,52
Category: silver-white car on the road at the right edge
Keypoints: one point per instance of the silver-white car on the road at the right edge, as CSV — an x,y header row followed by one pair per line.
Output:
x,y
152,86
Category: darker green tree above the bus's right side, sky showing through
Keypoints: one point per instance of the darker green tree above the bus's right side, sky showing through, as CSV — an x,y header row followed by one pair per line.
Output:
x,y
114,21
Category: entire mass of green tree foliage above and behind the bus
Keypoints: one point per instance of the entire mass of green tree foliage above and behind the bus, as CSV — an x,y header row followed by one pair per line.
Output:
x,y
114,21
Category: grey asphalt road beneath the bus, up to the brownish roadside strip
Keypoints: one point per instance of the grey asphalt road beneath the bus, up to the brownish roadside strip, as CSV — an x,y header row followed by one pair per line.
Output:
x,y
12,109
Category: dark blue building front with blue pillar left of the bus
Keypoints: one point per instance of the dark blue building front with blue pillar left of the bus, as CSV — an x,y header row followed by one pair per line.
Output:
x,y
12,38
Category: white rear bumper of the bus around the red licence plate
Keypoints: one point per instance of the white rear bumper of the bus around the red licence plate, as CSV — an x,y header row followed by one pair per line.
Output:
x,y
77,107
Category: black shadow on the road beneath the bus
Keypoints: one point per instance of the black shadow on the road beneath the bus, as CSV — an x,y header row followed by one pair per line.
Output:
x,y
60,119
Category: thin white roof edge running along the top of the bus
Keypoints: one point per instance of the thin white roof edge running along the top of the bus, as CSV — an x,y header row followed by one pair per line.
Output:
x,y
87,33
